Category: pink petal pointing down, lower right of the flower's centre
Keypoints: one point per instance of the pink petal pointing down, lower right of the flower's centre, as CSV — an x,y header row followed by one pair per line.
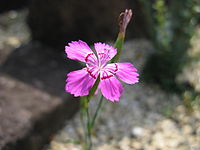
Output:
x,y
110,87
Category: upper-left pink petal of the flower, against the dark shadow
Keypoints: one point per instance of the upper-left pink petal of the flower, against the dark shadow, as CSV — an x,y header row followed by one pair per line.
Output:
x,y
79,50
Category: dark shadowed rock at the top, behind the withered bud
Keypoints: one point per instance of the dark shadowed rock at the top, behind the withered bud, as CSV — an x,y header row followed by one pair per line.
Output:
x,y
57,22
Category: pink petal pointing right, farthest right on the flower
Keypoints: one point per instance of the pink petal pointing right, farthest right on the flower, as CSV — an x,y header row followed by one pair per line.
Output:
x,y
124,71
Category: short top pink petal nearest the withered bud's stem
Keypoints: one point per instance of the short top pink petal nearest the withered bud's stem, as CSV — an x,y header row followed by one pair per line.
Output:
x,y
105,52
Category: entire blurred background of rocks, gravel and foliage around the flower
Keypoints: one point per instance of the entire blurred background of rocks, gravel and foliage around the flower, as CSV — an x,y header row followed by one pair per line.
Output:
x,y
162,112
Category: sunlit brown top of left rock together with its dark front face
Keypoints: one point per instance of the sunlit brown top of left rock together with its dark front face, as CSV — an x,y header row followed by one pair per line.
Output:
x,y
29,117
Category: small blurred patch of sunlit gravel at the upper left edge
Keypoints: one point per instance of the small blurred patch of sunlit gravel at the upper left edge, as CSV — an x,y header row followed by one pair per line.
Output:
x,y
14,30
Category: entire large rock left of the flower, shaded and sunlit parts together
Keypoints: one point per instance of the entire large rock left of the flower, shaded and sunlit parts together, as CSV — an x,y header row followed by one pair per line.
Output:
x,y
33,102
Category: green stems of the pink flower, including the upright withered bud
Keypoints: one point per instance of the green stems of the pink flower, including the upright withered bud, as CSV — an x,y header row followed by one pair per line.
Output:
x,y
123,22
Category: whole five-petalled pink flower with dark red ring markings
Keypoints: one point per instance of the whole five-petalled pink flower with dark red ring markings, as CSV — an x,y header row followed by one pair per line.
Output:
x,y
81,81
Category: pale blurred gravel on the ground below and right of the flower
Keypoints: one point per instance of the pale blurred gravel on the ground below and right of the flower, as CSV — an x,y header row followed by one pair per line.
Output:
x,y
145,118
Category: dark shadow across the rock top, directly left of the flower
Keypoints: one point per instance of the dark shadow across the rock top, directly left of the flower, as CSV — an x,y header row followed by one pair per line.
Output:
x,y
40,66
